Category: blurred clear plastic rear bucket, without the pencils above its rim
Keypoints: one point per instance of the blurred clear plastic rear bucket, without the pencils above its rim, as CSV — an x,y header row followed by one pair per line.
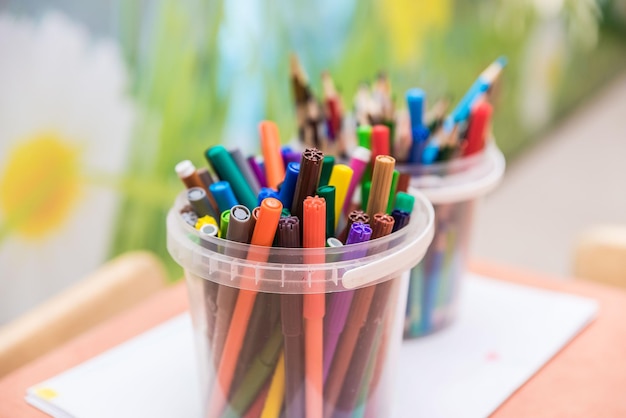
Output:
x,y
454,188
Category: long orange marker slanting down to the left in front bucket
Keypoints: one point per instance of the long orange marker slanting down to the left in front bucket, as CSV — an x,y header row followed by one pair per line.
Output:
x,y
263,235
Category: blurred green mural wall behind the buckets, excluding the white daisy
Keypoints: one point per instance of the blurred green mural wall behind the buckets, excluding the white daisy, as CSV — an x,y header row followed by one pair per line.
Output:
x,y
205,72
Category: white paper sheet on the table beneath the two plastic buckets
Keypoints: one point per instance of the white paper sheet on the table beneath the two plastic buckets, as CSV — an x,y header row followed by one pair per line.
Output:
x,y
503,335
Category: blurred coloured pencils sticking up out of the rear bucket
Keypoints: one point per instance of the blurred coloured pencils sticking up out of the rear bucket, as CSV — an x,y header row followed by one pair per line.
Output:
x,y
417,135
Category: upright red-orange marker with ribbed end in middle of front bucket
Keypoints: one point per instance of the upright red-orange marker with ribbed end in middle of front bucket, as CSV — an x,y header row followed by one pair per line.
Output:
x,y
314,236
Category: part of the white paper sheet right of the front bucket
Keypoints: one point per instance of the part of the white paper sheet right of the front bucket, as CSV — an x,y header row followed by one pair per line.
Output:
x,y
504,334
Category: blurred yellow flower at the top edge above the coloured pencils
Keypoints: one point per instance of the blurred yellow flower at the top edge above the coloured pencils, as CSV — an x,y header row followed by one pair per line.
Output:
x,y
408,23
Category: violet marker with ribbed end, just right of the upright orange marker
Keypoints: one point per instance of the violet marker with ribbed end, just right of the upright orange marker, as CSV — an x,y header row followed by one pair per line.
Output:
x,y
339,304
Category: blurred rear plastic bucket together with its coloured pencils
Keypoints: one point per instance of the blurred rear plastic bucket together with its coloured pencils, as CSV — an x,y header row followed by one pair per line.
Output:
x,y
437,149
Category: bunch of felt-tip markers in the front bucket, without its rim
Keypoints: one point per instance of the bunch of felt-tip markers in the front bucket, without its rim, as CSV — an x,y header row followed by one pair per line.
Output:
x,y
312,354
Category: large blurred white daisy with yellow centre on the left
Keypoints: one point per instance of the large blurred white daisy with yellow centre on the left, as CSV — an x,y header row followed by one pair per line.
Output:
x,y
65,119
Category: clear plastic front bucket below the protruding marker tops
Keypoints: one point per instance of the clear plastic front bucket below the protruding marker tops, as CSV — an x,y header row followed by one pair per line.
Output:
x,y
276,369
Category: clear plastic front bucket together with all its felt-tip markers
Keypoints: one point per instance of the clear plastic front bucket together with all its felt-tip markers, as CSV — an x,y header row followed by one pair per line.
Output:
x,y
282,333
